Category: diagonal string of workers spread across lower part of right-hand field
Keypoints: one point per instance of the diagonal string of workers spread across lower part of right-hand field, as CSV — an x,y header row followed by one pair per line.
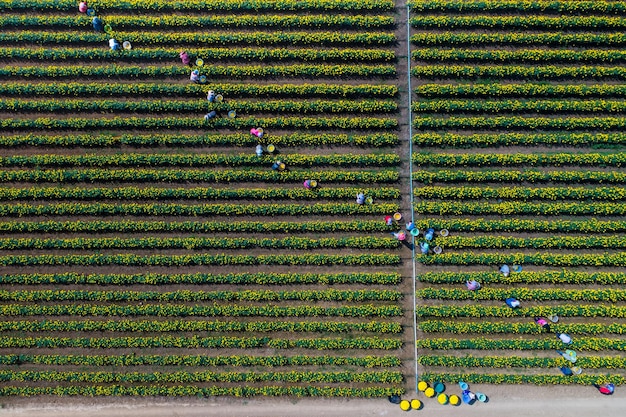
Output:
x,y
544,322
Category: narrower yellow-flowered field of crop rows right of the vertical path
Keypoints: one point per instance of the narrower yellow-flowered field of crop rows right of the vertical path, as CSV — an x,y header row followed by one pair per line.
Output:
x,y
519,151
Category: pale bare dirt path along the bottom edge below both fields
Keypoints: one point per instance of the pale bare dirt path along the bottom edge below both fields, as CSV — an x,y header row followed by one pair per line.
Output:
x,y
503,401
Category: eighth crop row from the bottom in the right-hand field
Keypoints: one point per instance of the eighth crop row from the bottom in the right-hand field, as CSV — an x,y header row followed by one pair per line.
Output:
x,y
548,259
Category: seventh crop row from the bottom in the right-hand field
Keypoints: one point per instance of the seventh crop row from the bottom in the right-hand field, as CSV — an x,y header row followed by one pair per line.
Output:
x,y
561,277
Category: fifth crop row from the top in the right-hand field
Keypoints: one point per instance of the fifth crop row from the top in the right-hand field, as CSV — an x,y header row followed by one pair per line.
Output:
x,y
534,72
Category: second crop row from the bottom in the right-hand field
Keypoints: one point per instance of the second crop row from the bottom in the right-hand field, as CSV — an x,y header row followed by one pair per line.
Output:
x,y
586,362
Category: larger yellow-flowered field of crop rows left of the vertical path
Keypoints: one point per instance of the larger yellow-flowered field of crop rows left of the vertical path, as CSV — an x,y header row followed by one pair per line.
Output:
x,y
148,251
